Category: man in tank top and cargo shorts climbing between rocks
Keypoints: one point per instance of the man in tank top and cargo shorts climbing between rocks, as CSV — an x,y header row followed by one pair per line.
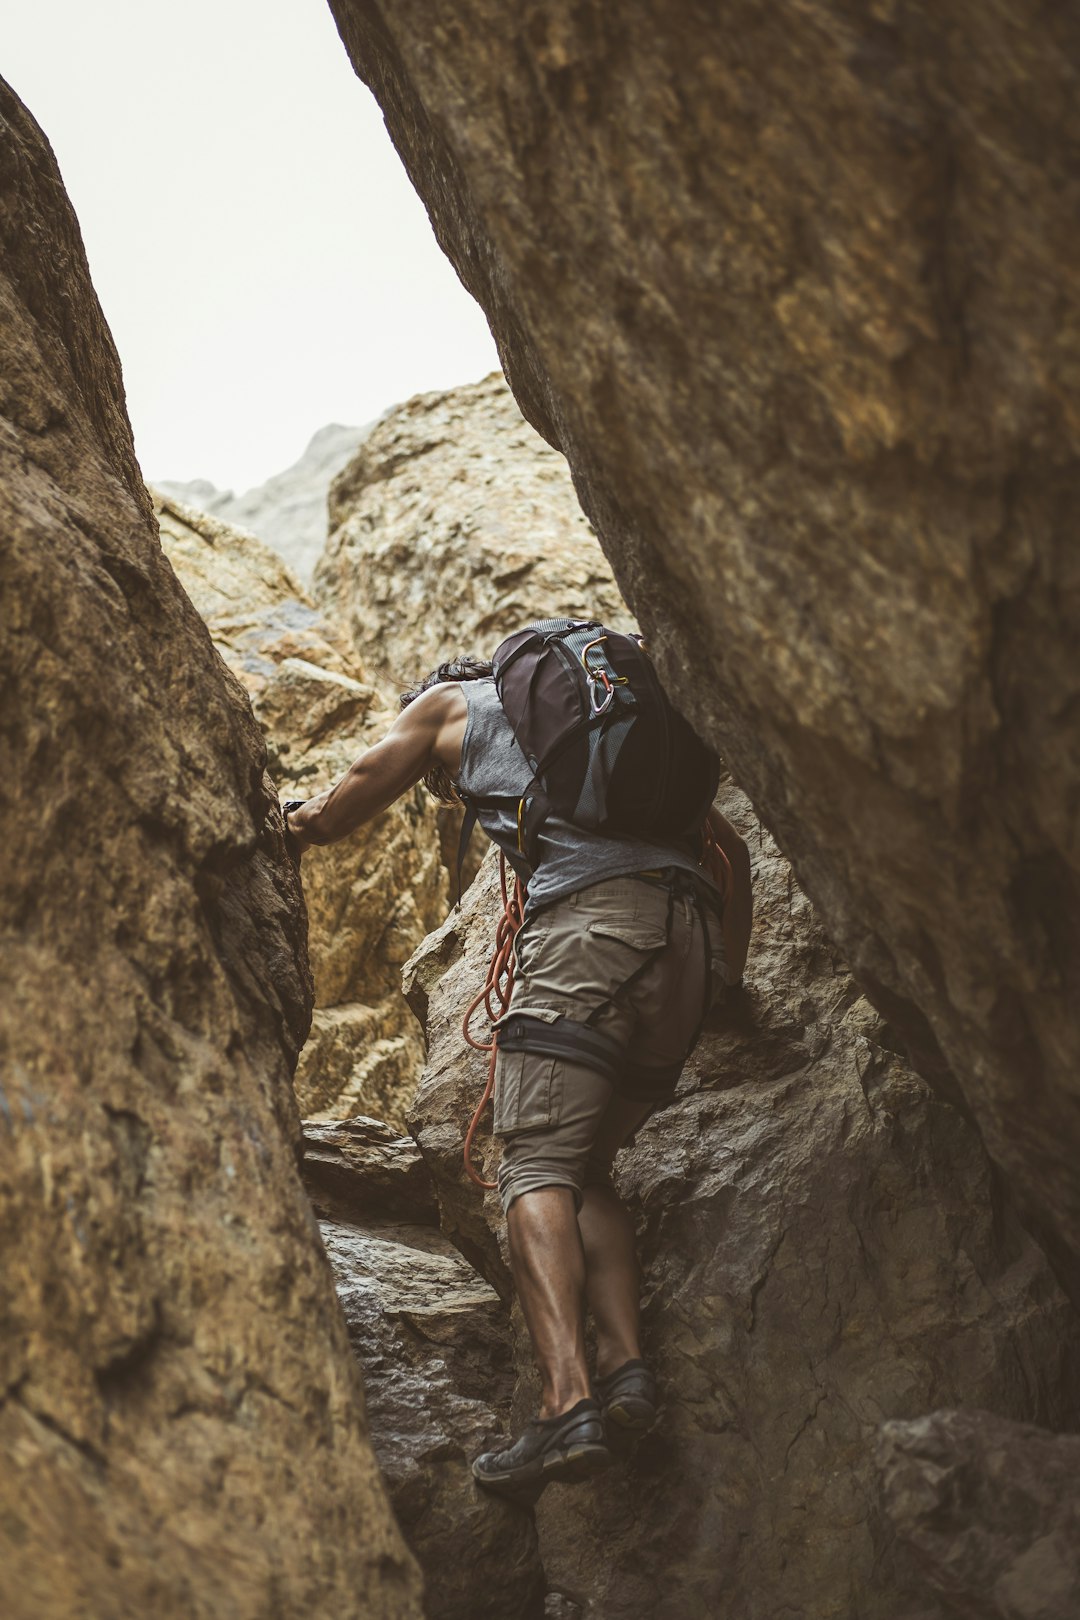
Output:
x,y
618,958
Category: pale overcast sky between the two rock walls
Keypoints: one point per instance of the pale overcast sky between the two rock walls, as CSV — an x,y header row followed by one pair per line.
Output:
x,y
258,250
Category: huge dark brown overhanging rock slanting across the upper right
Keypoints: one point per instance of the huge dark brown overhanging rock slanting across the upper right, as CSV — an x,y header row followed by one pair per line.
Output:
x,y
796,292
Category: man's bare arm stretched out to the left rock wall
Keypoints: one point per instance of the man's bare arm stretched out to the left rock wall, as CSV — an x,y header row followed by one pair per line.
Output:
x,y
378,777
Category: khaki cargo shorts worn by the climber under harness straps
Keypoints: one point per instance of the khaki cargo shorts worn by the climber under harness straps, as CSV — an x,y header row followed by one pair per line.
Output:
x,y
636,960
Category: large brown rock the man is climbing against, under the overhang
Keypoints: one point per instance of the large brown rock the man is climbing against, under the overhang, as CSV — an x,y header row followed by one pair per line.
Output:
x,y
823,1247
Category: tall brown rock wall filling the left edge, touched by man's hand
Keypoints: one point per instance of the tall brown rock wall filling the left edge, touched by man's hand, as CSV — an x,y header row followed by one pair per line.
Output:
x,y
181,1418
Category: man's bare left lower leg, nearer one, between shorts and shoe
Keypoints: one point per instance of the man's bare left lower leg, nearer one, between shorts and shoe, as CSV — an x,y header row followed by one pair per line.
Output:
x,y
548,1264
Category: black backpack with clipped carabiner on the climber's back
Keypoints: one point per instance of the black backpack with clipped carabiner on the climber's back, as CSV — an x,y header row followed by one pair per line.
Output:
x,y
608,751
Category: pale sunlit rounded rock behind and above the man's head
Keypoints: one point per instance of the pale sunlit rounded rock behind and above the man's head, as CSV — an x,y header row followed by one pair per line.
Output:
x,y
454,526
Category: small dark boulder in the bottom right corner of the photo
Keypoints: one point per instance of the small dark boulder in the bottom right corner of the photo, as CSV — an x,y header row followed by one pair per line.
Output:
x,y
990,1514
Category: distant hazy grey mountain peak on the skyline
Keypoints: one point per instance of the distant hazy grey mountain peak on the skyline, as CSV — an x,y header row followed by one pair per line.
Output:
x,y
291,509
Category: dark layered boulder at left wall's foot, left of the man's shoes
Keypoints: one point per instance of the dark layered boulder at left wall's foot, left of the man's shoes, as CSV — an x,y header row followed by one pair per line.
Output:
x,y
435,1345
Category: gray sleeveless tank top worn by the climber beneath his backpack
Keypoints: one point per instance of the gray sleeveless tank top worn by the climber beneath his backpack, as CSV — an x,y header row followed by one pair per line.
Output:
x,y
495,774
